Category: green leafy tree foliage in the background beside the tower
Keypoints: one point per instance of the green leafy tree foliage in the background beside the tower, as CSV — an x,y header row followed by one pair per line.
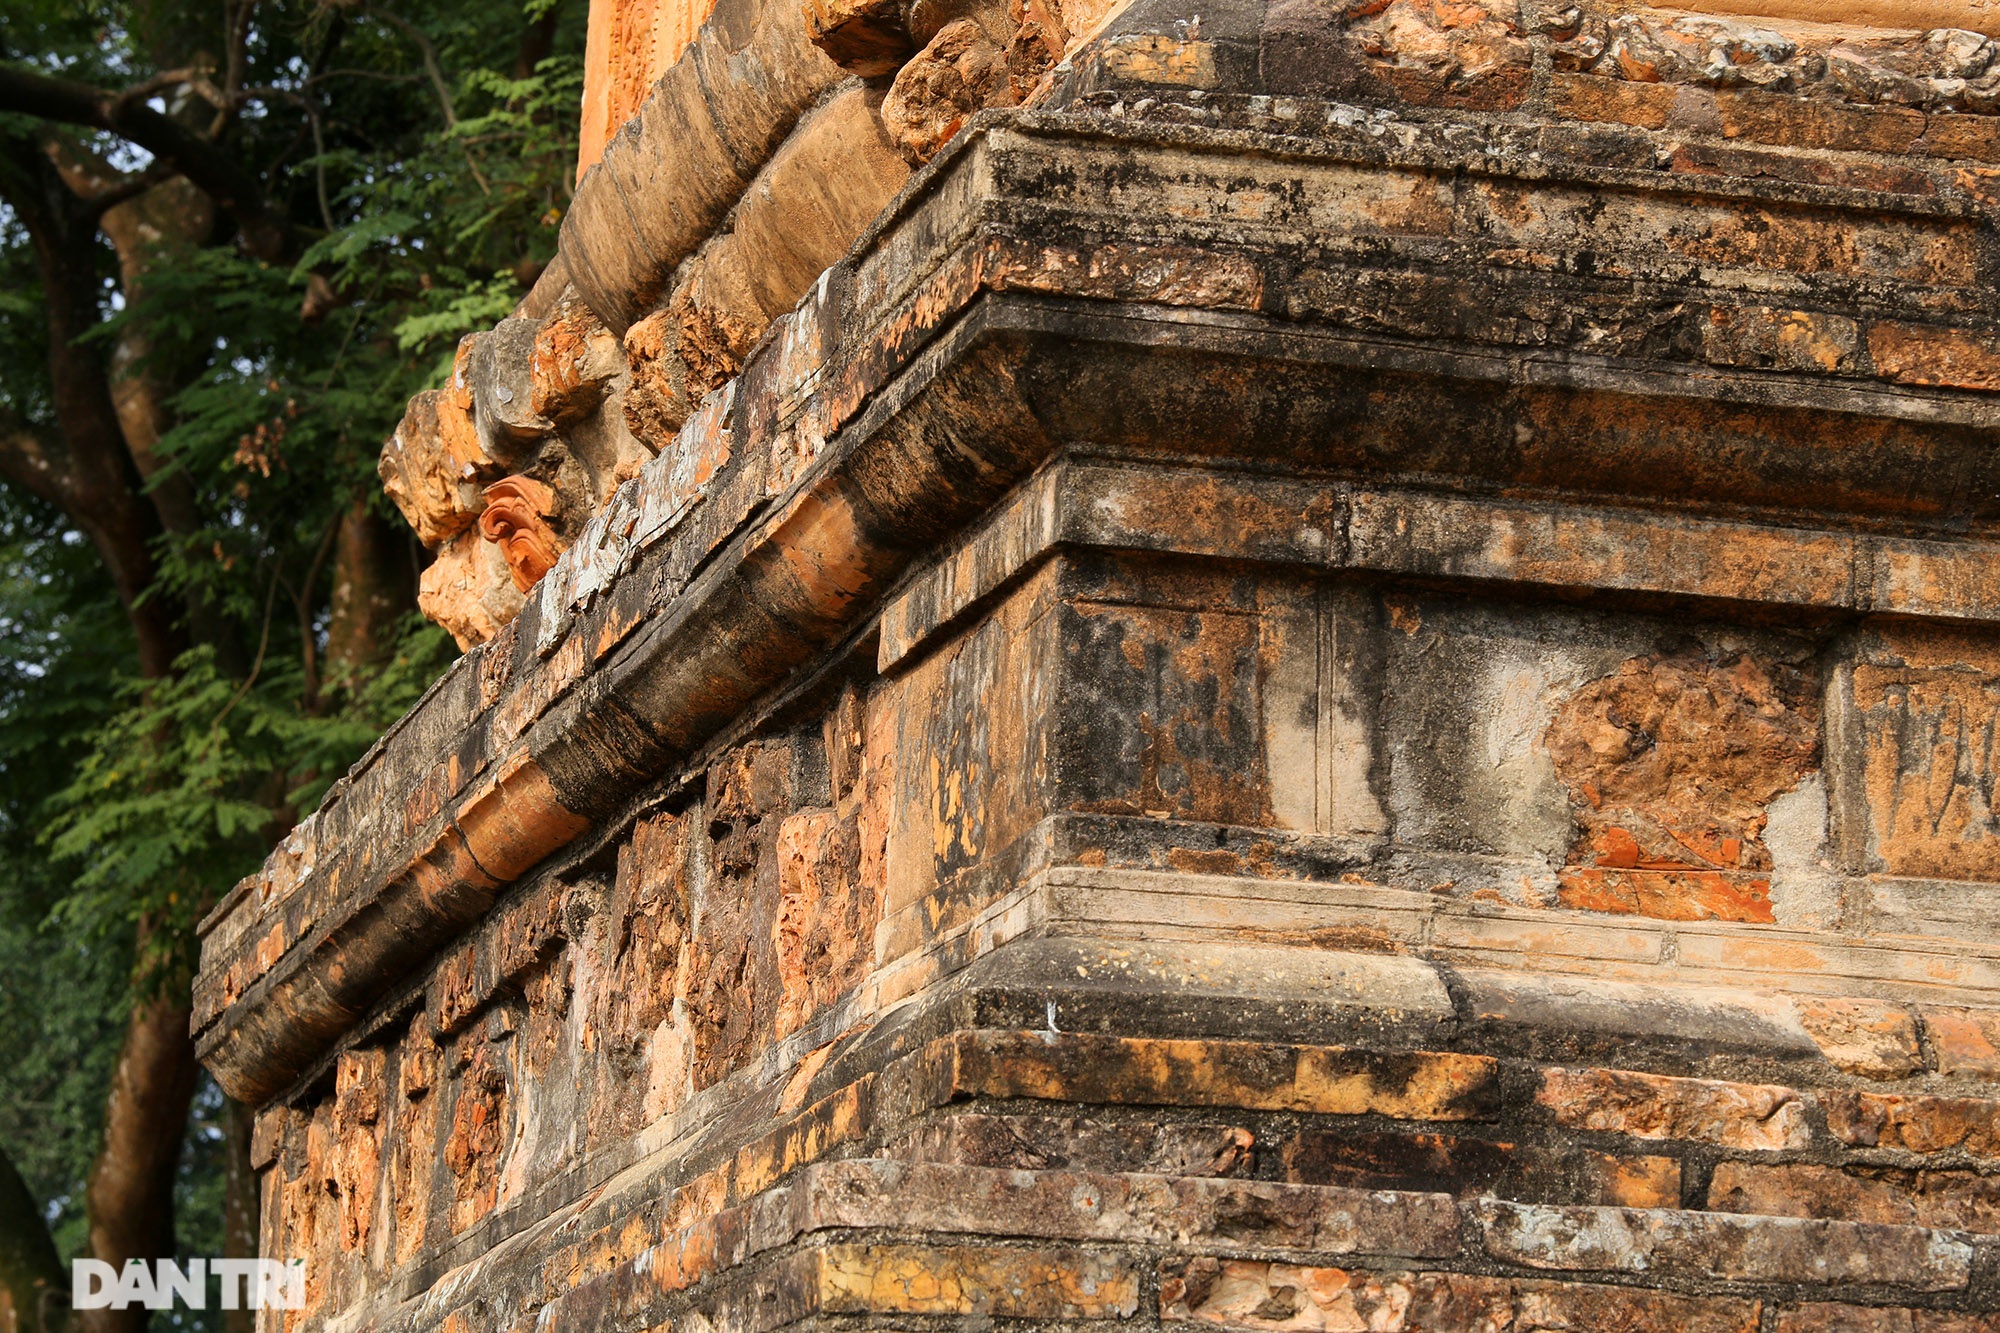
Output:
x,y
417,219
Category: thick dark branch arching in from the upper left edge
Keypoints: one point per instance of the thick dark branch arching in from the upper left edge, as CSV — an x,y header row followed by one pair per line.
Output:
x,y
209,167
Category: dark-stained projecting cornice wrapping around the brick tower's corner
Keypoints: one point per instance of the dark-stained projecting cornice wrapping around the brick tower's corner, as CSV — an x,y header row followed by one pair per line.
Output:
x,y
923,381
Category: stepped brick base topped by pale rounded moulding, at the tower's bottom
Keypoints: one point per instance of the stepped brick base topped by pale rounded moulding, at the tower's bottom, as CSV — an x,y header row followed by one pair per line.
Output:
x,y
1451,1164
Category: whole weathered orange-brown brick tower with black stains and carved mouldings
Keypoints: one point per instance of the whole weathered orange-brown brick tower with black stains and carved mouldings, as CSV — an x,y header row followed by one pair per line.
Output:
x,y
1229,663
